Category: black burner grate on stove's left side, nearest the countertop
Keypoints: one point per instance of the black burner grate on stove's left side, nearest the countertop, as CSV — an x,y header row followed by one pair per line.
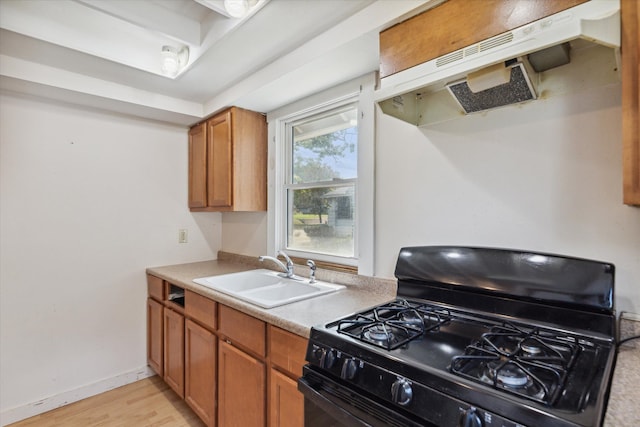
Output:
x,y
392,325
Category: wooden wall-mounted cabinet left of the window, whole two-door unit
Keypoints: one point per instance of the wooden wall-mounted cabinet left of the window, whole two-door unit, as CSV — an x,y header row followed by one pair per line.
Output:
x,y
228,162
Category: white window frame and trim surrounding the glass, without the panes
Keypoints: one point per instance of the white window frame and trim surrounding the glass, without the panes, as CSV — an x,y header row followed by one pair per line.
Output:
x,y
359,92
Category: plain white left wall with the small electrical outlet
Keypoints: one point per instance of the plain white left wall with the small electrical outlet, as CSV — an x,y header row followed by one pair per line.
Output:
x,y
87,202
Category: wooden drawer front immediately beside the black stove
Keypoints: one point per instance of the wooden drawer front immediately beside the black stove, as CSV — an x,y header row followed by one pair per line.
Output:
x,y
287,350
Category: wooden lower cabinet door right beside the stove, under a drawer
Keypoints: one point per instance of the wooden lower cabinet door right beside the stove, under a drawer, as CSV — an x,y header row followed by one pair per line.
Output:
x,y
286,403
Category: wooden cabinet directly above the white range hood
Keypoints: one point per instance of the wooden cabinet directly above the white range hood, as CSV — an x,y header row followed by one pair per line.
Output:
x,y
456,24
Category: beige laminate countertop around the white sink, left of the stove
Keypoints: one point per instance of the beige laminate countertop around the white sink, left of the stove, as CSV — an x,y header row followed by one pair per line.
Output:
x,y
297,317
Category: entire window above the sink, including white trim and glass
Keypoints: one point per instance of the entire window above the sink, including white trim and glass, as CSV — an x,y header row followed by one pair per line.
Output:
x,y
321,176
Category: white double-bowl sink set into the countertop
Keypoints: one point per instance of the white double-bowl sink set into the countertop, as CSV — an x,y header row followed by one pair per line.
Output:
x,y
265,288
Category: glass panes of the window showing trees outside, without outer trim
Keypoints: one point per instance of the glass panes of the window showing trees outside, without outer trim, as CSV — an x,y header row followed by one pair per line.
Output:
x,y
320,184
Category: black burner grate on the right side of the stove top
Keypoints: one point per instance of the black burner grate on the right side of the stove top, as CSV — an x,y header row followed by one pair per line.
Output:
x,y
533,364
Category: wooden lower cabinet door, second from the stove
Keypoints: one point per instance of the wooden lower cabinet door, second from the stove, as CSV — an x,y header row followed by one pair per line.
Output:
x,y
241,388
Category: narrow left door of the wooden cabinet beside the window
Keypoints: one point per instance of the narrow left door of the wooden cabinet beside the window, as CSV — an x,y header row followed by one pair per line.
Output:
x,y
198,166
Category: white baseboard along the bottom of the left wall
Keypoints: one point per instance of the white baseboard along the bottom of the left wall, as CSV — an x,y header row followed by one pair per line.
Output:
x,y
35,408
